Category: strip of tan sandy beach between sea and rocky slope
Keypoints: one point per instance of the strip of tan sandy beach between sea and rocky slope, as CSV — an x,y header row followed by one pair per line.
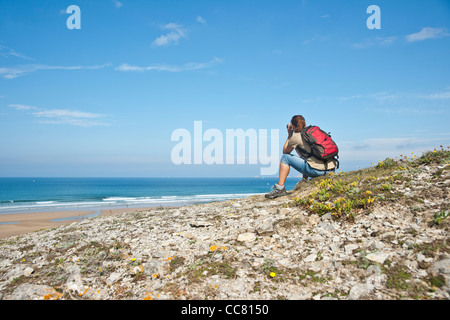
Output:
x,y
21,223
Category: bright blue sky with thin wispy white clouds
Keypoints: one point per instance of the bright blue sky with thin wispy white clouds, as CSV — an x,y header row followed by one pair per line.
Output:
x,y
104,100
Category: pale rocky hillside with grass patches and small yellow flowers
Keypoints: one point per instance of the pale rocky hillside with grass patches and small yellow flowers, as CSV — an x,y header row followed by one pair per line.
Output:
x,y
377,233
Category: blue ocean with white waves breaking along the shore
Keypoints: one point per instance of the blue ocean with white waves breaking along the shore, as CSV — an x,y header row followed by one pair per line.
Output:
x,y
26,195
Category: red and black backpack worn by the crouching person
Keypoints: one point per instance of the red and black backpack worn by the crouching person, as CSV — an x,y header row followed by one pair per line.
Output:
x,y
322,146
